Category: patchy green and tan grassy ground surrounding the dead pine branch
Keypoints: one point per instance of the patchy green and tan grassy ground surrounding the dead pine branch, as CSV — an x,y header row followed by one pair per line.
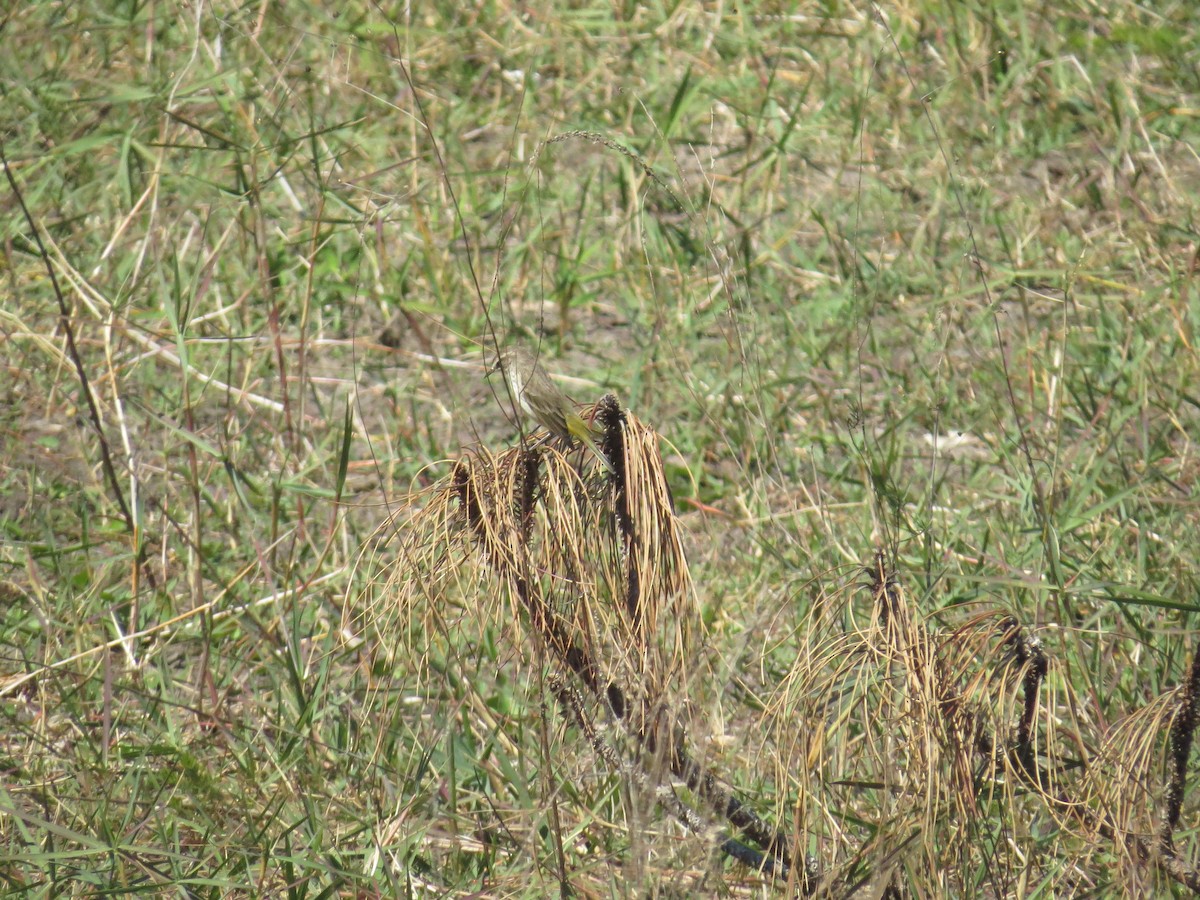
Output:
x,y
919,280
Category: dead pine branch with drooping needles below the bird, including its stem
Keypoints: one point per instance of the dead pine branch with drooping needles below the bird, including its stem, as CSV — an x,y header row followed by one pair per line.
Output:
x,y
591,562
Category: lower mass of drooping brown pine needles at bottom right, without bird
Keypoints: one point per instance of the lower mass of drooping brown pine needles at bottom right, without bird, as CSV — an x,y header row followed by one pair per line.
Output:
x,y
940,739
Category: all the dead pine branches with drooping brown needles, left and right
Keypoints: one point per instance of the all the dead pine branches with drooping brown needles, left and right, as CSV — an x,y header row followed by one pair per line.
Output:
x,y
933,734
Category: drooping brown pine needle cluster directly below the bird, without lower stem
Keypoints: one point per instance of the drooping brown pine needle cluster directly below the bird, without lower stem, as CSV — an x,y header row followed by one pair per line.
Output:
x,y
591,561
